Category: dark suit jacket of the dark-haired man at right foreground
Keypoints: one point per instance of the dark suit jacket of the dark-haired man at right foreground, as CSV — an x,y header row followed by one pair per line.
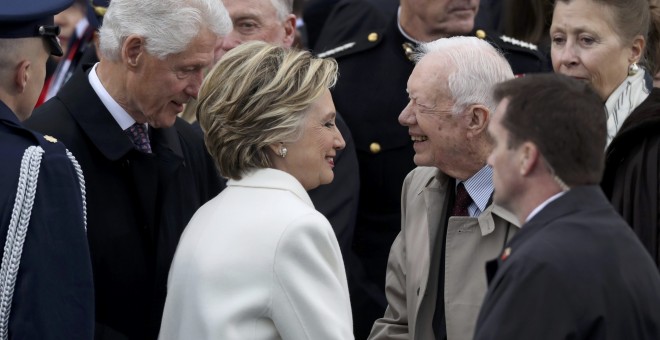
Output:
x,y
574,271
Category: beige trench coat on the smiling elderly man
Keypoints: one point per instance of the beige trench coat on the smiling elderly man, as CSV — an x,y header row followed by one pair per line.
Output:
x,y
412,277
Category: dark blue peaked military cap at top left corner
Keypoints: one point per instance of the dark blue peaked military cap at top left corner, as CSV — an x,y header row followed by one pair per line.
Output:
x,y
32,18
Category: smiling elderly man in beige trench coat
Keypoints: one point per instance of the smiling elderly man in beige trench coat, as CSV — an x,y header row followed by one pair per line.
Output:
x,y
435,274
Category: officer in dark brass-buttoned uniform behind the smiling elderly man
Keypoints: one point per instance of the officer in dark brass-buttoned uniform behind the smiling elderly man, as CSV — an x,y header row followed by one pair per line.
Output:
x,y
374,56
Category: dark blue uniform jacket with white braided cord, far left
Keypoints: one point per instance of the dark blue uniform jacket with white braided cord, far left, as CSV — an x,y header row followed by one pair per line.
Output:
x,y
54,293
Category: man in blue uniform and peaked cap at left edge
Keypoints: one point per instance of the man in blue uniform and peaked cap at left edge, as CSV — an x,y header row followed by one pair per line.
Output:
x,y
46,288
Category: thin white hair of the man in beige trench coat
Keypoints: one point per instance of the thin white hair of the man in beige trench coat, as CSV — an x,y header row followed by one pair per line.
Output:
x,y
478,68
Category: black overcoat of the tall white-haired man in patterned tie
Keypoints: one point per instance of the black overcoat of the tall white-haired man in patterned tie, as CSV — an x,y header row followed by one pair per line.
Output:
x,y
137,203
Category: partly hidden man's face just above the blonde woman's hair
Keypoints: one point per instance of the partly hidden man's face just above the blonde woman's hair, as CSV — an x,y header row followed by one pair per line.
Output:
x,y
255,20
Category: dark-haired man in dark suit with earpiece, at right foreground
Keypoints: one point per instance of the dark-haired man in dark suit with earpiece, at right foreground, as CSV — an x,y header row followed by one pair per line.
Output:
x,y
575,270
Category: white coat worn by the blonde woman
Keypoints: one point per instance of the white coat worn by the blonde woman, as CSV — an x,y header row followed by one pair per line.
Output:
x,y
258,262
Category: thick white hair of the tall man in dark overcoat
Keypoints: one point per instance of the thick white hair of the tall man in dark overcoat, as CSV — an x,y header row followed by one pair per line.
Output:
x,y
167,26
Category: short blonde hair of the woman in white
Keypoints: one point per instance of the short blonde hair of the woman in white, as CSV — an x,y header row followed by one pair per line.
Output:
x,y
258,95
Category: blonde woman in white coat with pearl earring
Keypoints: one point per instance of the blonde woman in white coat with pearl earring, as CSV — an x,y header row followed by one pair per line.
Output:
x,y
258,261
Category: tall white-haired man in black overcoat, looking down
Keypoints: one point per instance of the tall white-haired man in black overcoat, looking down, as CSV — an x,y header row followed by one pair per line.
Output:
x,y
147,171
